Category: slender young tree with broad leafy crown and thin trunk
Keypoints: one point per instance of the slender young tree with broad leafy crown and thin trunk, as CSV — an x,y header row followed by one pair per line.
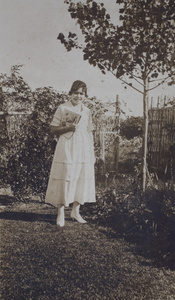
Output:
x,y
140,49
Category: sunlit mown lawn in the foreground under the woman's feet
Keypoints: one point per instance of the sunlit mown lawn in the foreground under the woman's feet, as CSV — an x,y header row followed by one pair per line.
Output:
x,y
40,260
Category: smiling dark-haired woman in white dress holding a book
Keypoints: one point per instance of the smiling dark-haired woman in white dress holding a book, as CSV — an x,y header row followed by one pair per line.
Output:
x,y
72,173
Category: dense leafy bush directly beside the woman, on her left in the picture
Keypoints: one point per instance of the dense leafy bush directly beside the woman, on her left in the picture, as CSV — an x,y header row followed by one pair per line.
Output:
x,y
29,169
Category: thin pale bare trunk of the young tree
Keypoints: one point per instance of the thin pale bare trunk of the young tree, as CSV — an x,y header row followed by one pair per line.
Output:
x,y
145,134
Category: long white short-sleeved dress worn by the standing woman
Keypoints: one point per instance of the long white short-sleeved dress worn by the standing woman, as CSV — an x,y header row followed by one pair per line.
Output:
x,y
72,172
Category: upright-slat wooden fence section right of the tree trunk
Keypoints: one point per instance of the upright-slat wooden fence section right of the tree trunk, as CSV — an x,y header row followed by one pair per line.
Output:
x,y
161,135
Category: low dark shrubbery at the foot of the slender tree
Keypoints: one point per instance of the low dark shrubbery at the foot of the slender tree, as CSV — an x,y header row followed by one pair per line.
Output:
x,y
144,220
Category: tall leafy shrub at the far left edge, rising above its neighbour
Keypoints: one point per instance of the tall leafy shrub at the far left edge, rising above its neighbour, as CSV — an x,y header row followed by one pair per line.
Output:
x,y
16,96
